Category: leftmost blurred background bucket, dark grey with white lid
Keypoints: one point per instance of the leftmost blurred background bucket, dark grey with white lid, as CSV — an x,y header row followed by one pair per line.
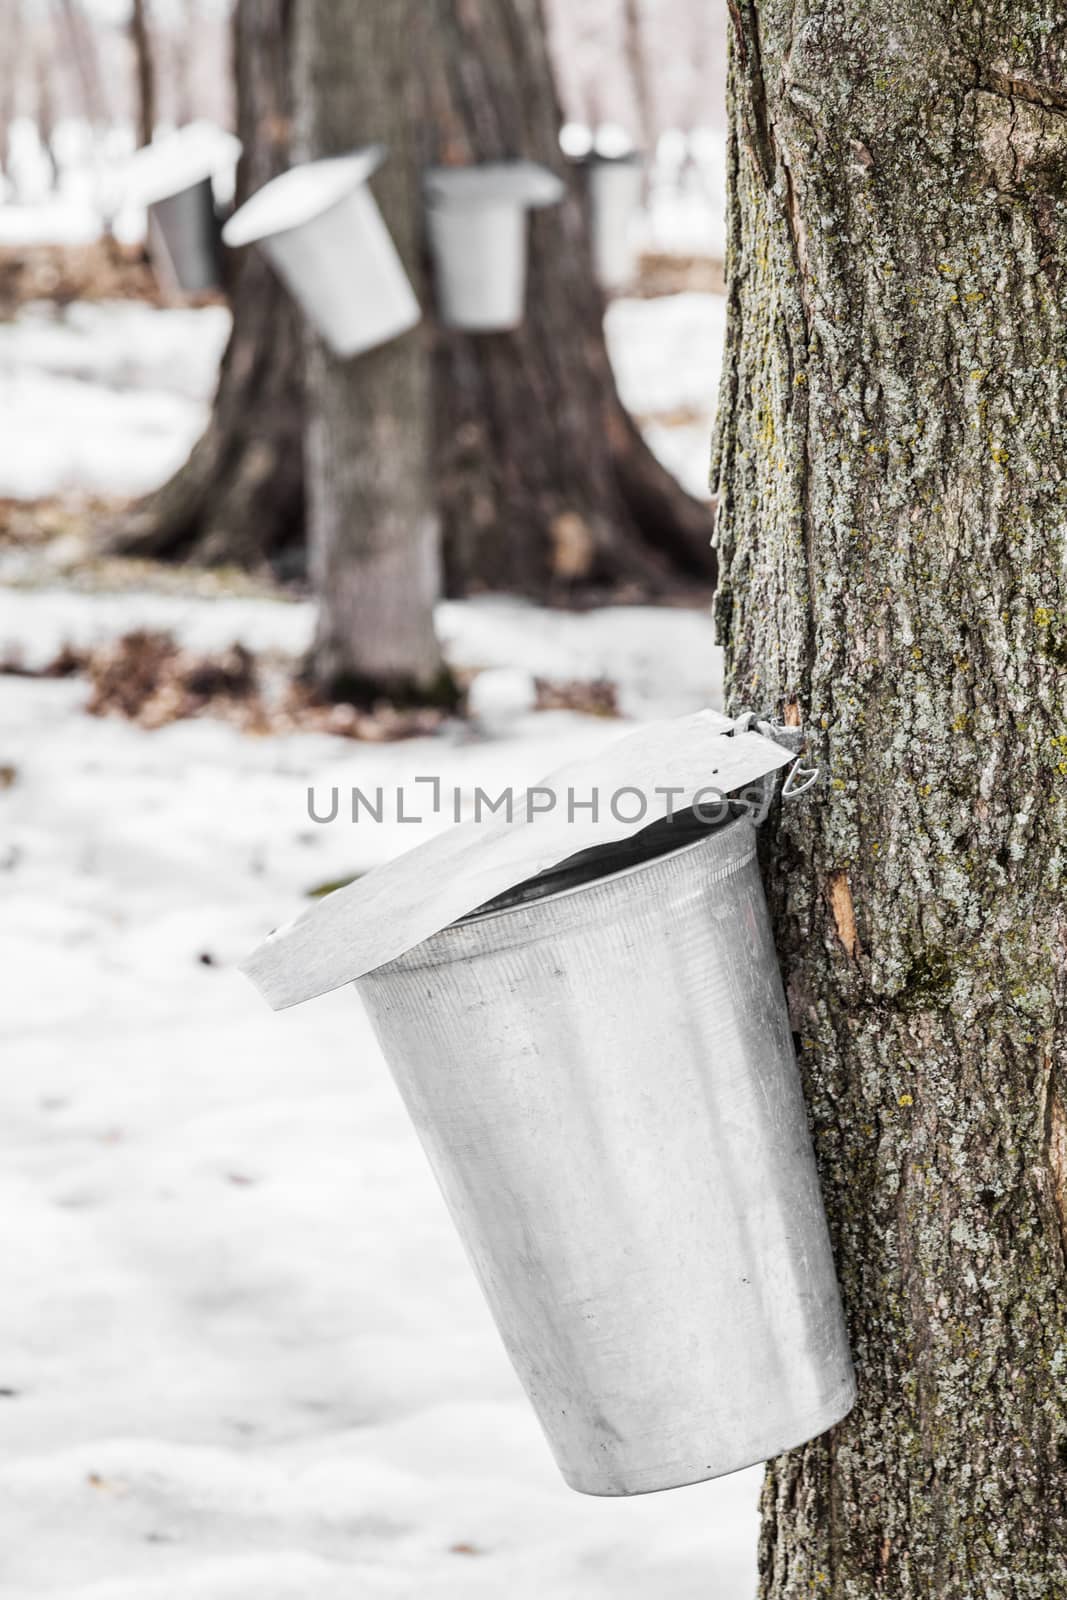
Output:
x,y
174,180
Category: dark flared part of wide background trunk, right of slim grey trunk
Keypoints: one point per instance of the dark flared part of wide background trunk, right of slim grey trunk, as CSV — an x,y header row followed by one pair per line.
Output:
x,y
545,481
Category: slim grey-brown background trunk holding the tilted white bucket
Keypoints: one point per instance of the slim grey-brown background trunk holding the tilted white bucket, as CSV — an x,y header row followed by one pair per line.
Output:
x,y
374,535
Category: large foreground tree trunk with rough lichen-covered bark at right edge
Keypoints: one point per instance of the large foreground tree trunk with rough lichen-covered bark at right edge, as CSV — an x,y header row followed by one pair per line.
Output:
x,y
892,546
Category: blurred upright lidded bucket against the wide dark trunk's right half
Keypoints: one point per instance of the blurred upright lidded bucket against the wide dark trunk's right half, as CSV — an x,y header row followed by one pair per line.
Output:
x,y
478,234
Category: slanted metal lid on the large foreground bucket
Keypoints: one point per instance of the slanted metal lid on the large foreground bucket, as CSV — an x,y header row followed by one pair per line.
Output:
x,y
402,903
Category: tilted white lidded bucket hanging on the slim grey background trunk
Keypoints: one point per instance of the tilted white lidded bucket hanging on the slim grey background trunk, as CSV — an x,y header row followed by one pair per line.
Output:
x,y
329,242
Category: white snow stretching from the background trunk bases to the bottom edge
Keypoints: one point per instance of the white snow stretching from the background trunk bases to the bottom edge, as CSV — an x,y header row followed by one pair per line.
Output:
x,y
244,1354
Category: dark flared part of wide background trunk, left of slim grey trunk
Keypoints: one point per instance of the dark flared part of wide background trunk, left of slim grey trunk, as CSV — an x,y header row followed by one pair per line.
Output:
x,y
241,495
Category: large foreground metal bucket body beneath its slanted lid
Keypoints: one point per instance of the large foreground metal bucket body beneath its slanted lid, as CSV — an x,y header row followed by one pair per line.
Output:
x,y
601,1070
